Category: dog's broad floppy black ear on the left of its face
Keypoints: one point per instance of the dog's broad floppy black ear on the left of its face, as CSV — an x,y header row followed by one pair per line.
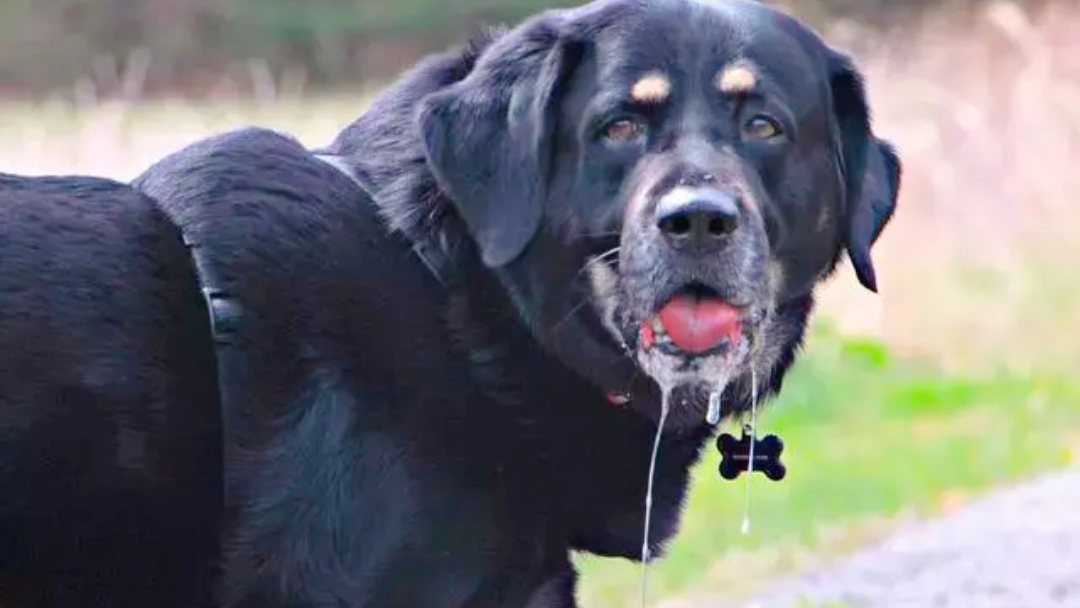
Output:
x,y
490,138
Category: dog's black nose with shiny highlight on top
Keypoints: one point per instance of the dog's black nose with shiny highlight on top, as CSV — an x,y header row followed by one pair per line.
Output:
x,y
697,218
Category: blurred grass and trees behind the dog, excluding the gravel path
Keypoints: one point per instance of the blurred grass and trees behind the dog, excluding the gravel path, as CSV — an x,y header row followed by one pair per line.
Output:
x,y
951,383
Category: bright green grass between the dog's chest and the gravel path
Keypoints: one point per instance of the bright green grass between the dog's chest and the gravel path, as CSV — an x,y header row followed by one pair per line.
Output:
x,y
870,441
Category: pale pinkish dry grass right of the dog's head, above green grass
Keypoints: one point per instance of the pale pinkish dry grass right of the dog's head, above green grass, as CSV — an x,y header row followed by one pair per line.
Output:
x,y
978,268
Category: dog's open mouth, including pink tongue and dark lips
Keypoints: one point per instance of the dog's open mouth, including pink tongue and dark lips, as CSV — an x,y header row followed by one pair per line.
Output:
x,y
694,322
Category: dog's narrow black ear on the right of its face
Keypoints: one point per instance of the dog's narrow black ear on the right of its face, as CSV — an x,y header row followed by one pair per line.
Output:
x,y
870,169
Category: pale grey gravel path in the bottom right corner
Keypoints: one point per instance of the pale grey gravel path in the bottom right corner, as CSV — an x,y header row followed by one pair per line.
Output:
x,y
1016,549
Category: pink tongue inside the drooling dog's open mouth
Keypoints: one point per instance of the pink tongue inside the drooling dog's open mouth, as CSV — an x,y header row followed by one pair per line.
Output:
x,y
696,326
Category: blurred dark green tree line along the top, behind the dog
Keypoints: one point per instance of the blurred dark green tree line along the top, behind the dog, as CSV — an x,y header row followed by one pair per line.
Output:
x,y
196,47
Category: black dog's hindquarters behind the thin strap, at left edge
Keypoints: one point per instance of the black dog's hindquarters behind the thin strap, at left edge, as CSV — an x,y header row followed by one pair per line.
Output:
x,y
111,482
